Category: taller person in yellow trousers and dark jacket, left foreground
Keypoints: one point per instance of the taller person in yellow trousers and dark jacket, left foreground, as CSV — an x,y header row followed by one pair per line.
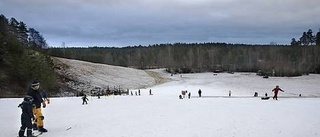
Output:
x,y
36,103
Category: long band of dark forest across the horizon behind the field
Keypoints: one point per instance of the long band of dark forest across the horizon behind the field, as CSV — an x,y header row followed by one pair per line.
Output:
x,y
272,60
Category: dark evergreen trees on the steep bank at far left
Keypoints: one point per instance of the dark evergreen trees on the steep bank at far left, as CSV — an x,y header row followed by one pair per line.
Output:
x,y
23,58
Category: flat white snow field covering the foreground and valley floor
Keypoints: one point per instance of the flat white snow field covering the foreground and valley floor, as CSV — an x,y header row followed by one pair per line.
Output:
x,y
164,115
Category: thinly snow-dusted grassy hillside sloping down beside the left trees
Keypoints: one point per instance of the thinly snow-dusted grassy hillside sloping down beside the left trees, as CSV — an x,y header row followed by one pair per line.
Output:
x,y
86,76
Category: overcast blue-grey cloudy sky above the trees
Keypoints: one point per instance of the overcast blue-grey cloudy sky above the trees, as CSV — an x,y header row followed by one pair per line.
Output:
x,y
143,22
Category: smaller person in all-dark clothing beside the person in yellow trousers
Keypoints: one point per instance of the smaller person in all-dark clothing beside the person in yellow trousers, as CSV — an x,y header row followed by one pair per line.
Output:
x,y
26,116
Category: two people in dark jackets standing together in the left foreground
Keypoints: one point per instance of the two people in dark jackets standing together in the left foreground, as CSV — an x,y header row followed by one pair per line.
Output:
x,y
31,117
